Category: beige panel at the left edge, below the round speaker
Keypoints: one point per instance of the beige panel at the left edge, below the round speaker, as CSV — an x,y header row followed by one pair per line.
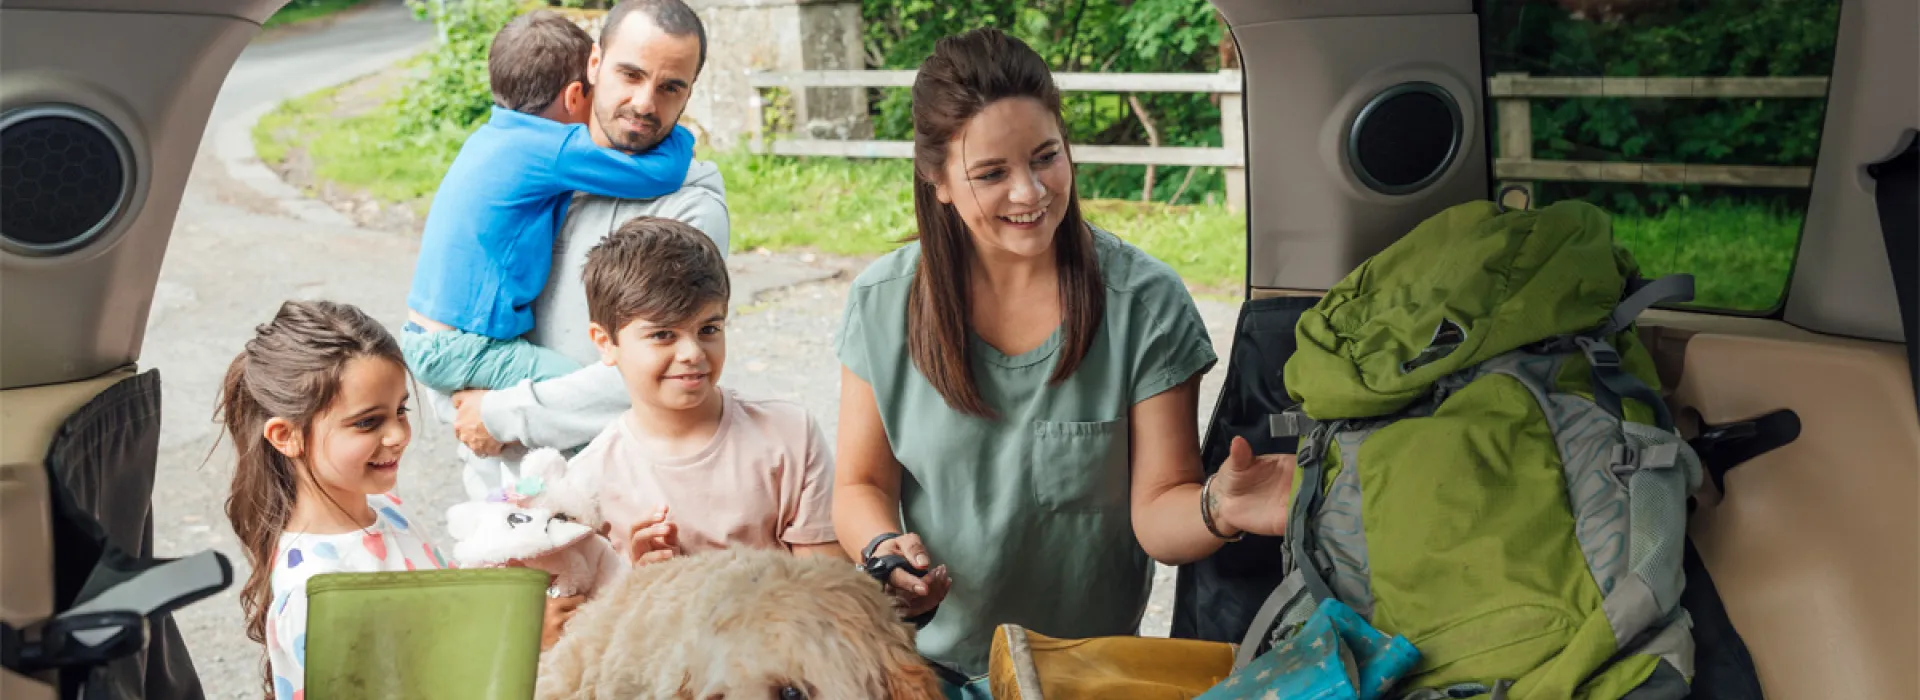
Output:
x,y
28,425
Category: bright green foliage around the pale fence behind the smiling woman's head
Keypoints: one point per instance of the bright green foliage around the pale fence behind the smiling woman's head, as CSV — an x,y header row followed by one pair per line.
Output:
x,y
1076,35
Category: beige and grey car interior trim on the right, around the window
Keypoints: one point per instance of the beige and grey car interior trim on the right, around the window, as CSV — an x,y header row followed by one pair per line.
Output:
x,y
1815,546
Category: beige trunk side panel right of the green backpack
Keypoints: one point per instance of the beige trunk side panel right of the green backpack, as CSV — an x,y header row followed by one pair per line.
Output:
x,y
1815,548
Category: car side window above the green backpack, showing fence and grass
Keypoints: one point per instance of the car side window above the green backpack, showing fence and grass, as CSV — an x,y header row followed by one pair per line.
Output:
x,y
1694,122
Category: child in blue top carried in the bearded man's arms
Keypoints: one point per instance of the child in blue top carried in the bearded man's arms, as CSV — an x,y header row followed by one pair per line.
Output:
x,y
489,243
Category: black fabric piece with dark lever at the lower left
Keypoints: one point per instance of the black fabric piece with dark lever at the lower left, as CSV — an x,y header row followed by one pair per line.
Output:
x,y
114,636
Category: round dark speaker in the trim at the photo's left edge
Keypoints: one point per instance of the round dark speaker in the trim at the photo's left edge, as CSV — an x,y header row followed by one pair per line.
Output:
x,y
62,179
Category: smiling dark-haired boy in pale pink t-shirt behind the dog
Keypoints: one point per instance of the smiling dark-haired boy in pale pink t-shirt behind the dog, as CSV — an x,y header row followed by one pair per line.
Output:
x,y
731,471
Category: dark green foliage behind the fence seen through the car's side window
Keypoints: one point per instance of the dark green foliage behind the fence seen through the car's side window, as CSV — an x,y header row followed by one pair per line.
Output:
x,y
1683,39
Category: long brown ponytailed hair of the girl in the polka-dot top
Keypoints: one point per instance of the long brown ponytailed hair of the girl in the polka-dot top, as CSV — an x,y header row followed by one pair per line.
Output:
x,y
291,371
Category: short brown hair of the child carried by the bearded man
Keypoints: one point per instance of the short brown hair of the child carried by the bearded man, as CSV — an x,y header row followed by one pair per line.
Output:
x,y
535,58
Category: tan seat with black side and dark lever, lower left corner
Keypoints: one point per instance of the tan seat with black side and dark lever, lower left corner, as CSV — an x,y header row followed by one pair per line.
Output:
x,y
84,605
